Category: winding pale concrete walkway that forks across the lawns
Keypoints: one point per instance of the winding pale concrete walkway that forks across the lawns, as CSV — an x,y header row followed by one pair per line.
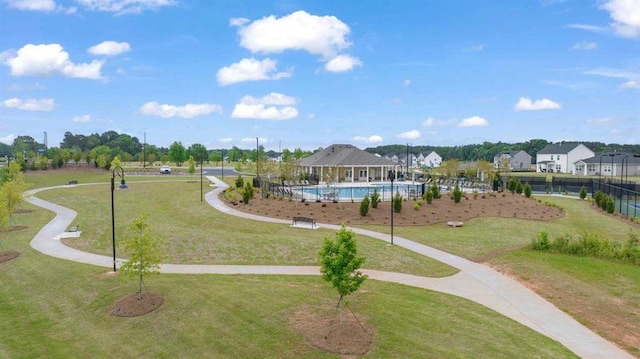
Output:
x,y
475,281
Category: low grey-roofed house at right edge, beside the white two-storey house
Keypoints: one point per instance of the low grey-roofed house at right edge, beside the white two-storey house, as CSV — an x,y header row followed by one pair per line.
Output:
x,y
614,165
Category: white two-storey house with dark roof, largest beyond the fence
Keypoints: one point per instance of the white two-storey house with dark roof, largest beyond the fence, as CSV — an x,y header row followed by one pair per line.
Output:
x,y
561,157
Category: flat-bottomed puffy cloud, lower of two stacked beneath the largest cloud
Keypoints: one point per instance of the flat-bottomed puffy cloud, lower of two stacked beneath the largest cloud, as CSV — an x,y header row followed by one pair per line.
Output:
x,y
274,106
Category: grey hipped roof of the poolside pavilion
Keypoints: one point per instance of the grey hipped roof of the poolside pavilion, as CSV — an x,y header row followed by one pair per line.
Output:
x,y
344,155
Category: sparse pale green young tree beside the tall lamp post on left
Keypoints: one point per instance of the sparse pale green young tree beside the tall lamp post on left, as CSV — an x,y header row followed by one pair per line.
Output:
x,y
144,251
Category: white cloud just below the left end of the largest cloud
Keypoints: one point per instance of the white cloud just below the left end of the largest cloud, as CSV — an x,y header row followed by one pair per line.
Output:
x,y
249,70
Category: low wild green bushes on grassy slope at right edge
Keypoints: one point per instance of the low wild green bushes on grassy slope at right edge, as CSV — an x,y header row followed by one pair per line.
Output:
x,y
590,245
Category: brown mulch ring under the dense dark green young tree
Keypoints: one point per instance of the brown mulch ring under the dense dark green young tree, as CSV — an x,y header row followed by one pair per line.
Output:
x,y
325,331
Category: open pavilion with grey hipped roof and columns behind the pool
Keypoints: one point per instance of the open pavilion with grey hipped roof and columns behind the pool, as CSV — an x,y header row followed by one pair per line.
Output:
x,y
347,163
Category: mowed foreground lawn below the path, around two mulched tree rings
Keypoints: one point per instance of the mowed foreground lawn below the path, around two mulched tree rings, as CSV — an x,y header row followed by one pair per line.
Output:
x,y
52,308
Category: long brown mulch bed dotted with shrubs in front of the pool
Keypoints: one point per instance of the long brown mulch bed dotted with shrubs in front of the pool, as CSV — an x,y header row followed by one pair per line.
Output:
x,y
441,210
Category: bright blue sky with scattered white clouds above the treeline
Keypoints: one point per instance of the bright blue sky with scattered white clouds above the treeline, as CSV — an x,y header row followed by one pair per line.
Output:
x,y
311,73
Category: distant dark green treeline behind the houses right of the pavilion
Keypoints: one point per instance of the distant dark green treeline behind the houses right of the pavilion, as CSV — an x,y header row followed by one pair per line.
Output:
x,y
487,150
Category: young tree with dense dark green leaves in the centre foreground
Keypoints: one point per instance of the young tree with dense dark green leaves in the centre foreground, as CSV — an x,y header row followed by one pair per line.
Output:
x,y
340,264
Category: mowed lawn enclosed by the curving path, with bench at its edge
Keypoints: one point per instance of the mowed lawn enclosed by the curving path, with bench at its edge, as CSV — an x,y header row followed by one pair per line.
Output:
x,y
195,233
